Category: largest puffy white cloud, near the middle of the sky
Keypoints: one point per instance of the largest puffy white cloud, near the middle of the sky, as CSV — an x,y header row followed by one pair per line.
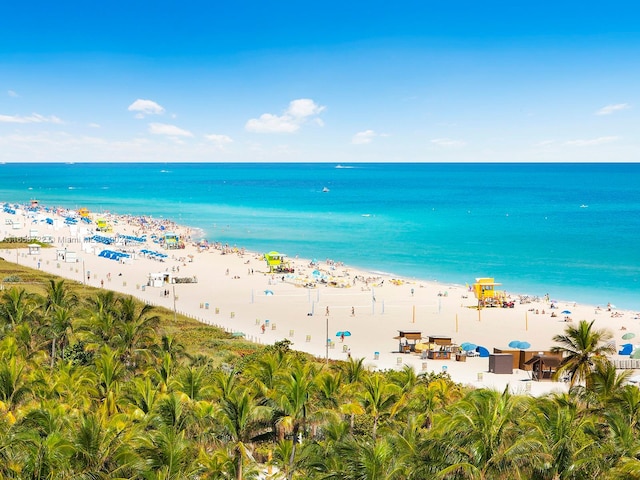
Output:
x,y
299,112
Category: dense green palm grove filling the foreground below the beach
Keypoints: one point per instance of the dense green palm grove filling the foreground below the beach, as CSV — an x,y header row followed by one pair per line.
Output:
x,y
89,389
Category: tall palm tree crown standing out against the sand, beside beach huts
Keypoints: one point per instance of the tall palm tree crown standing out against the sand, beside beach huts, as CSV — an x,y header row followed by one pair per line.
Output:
x,y
583,347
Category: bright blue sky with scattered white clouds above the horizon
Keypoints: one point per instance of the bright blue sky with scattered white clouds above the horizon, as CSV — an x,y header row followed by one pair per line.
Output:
x,y
340,82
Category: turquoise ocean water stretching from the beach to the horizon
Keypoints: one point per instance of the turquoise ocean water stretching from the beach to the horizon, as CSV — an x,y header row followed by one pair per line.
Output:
x,y
570,230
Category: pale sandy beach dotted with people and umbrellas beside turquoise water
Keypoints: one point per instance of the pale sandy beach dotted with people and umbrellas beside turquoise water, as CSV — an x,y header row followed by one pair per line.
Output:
x,y
233,289
